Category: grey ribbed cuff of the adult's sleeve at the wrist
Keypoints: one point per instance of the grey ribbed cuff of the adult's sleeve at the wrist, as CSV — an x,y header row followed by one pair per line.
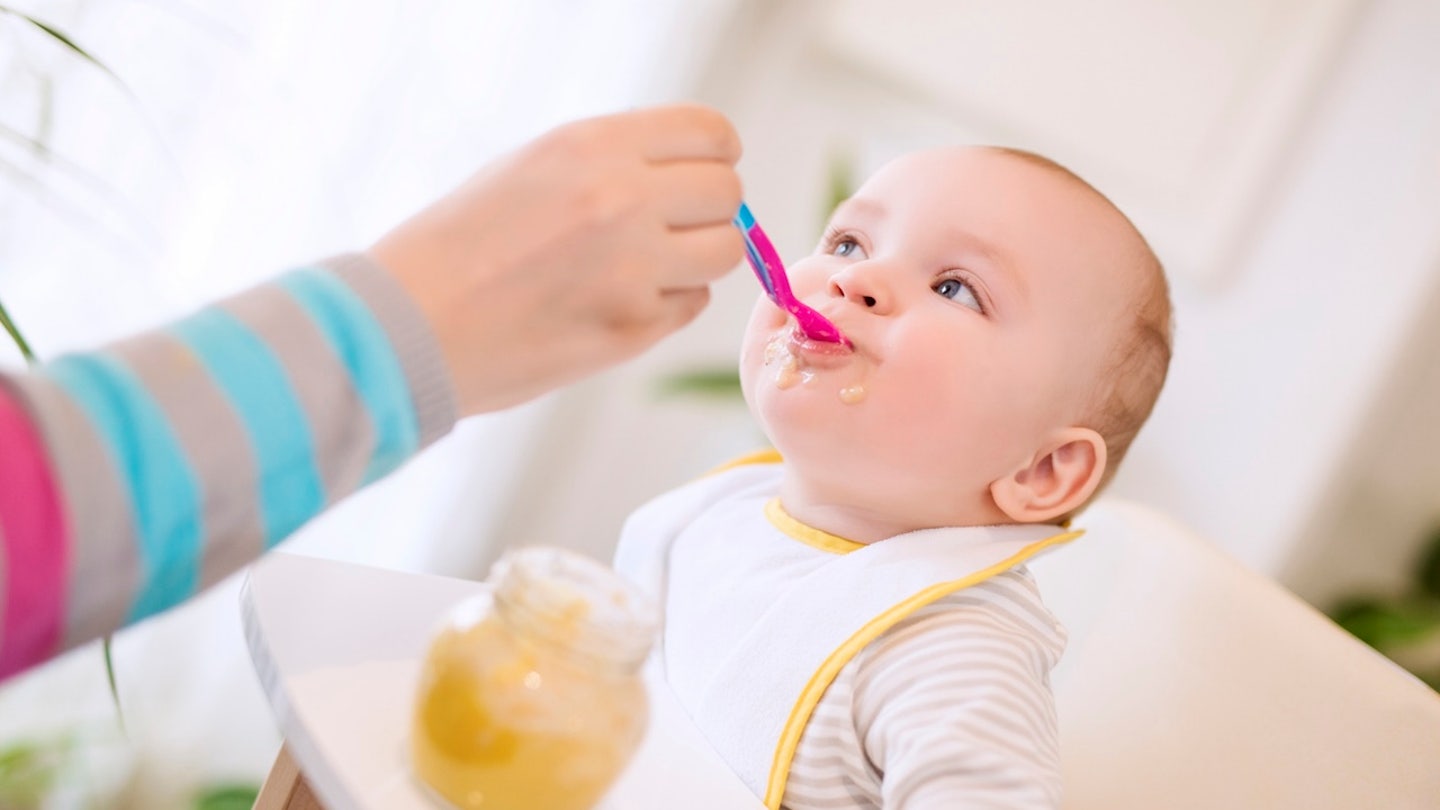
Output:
x,y
411,337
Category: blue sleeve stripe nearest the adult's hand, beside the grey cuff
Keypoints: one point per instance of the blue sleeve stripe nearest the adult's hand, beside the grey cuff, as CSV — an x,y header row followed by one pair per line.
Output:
x,y
361,344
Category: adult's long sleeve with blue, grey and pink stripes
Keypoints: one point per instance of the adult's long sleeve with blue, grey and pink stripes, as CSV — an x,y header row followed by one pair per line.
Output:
x,y
175,458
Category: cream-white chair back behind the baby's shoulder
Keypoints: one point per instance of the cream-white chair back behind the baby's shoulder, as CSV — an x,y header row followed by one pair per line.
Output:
x,y
1192,682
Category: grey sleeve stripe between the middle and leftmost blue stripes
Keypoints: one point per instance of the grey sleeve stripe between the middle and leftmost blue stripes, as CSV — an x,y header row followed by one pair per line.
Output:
x,y
215,443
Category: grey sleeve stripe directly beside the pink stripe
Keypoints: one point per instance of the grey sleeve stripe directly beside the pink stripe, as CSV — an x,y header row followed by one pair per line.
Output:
x,y
104,554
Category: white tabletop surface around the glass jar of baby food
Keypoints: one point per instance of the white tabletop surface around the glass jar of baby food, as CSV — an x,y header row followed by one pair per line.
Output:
x,y
338,648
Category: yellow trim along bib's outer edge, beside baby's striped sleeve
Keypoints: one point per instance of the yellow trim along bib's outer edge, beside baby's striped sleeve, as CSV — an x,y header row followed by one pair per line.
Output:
x,y
873,629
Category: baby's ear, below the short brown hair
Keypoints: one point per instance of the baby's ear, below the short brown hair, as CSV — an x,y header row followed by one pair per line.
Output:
x,y
1058,481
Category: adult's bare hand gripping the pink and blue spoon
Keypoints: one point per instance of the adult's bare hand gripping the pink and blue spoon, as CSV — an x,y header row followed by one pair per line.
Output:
x,y
575,253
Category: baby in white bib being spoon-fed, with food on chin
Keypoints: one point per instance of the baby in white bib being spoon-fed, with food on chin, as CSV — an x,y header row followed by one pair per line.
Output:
x,y
853,626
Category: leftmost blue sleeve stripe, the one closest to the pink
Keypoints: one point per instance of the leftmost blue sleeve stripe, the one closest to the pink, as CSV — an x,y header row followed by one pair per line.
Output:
x,y
163,491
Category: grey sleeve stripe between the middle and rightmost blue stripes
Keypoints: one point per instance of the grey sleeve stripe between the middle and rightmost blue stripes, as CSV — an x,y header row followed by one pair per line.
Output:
x,y
339,422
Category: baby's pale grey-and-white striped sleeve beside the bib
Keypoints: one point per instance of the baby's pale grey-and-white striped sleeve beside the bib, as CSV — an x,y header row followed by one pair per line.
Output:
x,y
951,708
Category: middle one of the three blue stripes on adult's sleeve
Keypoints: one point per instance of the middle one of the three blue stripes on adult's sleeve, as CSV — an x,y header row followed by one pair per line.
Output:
x,y
256,384
